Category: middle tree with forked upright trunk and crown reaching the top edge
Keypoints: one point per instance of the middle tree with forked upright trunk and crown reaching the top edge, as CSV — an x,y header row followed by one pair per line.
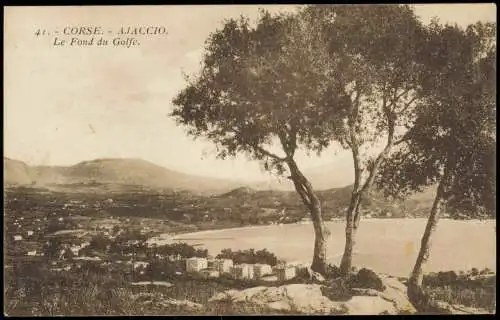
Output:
x,y
378,46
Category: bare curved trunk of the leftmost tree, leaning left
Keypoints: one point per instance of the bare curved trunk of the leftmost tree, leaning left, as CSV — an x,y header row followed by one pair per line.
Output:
x,y
306,192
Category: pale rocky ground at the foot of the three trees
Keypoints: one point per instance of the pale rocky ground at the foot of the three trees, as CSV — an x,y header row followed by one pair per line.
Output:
x,y
320,298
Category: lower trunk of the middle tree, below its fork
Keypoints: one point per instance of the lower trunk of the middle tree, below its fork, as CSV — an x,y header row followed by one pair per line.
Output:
x,y
352,222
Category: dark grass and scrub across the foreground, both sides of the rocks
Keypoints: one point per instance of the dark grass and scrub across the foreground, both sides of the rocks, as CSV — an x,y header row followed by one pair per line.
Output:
x,y
33,289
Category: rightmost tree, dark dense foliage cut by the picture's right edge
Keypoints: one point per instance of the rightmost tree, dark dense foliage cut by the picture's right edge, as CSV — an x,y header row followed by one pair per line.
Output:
x,y
452,142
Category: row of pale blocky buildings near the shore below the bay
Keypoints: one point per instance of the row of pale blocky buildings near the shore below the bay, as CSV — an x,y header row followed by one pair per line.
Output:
x,y
213,268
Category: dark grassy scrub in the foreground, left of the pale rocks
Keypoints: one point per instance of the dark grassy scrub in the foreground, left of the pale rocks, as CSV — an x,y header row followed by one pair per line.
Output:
x,y
33,289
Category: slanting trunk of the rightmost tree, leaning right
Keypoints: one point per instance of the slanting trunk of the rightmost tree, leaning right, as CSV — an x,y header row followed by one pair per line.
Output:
x,y
415,292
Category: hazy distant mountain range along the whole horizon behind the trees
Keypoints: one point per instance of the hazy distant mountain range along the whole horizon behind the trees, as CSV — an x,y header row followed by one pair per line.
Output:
x,y
133,174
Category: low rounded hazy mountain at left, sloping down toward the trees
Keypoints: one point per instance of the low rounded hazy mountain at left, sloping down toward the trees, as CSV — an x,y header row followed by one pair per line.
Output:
x,y
113,171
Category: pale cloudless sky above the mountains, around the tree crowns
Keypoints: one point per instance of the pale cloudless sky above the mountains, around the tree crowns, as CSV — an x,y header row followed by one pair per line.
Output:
x,y
66,104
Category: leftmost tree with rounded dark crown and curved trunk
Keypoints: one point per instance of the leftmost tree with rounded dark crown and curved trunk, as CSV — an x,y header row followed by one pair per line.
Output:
x,y
260,93
